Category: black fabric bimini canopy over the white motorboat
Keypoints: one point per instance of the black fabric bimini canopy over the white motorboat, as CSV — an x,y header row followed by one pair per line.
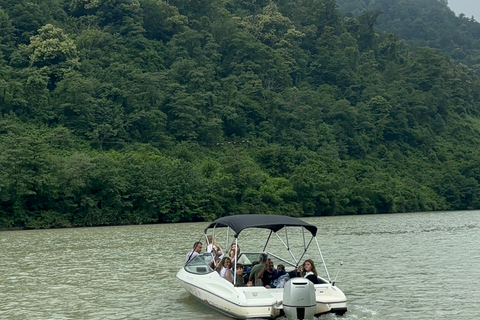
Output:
x,y
266,221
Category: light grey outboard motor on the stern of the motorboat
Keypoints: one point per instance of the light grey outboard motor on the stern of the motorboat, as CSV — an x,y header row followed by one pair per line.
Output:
x,y
299,299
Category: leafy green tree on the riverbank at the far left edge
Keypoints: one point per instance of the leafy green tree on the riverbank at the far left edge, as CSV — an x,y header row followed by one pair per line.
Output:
x,y
27,172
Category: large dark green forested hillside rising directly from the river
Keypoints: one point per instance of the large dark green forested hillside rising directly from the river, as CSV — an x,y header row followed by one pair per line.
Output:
x,y
151,111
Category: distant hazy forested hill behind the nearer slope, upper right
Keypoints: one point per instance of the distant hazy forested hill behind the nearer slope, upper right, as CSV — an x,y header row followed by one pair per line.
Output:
x,y
422,23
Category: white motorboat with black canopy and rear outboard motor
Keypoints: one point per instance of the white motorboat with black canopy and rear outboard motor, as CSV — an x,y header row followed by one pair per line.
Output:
x,y
250,302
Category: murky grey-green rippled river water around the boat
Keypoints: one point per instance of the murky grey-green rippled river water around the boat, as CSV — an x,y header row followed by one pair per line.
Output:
x,y
399,266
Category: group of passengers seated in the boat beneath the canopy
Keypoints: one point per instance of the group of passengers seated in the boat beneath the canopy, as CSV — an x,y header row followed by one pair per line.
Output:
x,y
262,272
